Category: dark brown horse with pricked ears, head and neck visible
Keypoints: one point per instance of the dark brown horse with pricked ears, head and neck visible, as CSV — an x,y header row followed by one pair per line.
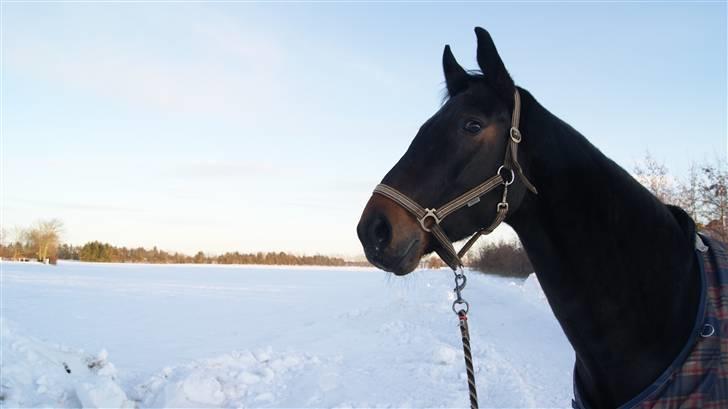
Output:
x,y
618,267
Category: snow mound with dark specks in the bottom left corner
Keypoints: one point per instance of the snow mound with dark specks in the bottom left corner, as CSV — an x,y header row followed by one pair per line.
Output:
x,y
36,373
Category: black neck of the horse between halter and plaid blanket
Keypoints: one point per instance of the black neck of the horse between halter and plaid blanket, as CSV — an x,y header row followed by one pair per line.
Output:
x,y
615,264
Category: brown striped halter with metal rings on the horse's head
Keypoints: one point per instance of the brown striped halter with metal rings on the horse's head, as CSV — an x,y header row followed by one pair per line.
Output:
x,y
469,198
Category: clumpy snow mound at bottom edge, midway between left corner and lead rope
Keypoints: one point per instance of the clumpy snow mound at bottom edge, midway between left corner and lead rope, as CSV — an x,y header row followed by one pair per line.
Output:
x,y
259,378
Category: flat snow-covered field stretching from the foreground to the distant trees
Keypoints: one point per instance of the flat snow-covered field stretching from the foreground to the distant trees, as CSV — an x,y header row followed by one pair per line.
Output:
x,y
114,335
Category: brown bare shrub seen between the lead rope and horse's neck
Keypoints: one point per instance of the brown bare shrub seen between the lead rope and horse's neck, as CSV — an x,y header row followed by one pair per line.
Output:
x,y
503,258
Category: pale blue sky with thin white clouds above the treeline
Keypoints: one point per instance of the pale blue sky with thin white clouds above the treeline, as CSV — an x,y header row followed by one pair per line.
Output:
x,y
264,127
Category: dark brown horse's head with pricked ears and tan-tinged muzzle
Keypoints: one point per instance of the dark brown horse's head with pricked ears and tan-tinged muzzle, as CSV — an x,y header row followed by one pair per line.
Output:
x,y
460,146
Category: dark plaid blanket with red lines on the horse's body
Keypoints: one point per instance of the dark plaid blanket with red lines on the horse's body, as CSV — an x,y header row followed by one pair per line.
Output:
x,y
698,378
